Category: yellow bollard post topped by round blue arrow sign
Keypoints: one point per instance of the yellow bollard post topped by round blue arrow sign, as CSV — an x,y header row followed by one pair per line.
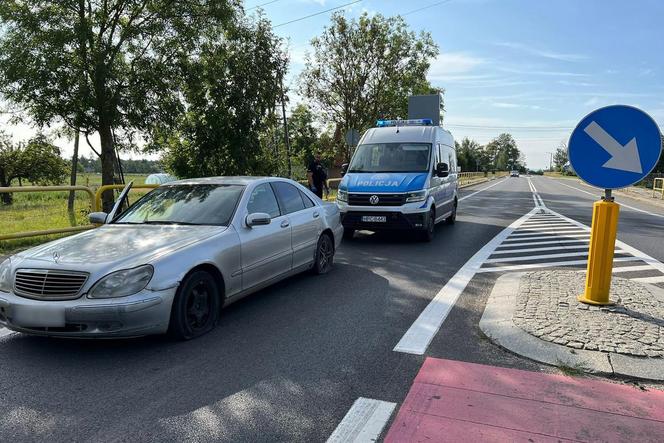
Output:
x,y
612,147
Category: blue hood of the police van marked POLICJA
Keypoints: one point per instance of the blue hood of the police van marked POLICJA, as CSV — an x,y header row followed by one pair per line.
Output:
x,y
384,182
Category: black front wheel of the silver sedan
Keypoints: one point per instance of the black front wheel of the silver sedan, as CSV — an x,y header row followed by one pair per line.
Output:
x,y
196,306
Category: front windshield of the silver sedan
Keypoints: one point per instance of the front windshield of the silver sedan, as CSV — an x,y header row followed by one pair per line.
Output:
x,y
185,205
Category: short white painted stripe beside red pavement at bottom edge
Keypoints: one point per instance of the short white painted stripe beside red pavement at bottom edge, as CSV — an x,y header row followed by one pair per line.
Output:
x,y
363,422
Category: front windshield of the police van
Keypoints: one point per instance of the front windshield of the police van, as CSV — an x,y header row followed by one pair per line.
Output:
x,y
391,157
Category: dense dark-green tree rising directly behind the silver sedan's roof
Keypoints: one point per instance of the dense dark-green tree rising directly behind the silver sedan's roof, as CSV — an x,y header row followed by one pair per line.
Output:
x,y
231,91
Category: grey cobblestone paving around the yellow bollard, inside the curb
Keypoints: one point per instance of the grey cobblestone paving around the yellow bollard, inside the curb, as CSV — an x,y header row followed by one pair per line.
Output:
x,y
547,307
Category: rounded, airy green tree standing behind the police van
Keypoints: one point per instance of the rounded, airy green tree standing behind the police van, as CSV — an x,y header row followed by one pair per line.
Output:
x,y
365,69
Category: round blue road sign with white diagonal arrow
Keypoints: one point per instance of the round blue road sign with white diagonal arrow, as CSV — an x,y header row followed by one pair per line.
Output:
x,y
615,146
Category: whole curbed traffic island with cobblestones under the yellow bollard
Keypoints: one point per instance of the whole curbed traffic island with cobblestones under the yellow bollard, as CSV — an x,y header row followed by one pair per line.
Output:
x,y
538,315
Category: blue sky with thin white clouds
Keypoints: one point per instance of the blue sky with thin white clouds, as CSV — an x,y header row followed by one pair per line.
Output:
x,y
527,67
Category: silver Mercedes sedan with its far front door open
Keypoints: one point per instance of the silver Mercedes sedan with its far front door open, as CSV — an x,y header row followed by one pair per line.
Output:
x,y
171,261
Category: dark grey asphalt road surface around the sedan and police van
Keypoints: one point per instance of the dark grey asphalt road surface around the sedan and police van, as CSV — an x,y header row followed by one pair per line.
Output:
x,y
287,363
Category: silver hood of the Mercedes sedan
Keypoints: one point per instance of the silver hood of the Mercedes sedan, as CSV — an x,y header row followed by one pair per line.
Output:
x,y
122,245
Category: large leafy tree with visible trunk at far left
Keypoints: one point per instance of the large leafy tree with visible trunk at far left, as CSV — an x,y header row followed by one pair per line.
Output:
x,y
110,67
